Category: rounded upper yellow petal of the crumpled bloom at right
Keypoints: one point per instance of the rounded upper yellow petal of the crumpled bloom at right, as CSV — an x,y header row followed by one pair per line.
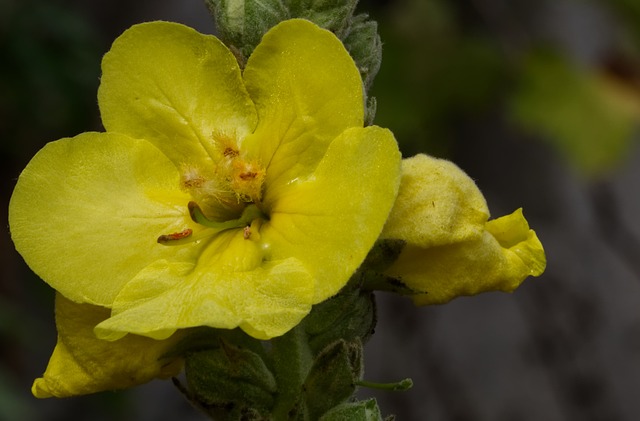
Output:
x,y
437,204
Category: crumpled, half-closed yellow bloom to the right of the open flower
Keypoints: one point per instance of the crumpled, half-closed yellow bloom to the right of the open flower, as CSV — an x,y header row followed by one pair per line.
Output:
x,y
451,249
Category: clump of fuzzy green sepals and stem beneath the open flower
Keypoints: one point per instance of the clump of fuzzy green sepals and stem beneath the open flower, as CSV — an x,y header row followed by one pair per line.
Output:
x,y
300,375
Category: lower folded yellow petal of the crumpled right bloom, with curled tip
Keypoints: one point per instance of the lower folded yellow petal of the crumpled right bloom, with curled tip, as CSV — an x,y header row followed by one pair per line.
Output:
x,y
506,254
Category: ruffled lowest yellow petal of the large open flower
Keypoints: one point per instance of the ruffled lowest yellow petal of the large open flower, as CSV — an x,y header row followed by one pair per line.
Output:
x,y
229,287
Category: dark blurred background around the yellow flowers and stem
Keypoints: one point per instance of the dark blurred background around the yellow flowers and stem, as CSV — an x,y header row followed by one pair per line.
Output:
x,y
537,100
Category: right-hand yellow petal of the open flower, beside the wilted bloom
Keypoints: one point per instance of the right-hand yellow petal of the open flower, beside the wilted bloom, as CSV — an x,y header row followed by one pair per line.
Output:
x,y
331,219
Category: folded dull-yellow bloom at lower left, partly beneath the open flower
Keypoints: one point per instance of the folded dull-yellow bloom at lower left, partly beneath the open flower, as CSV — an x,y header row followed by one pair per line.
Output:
x,y
82,364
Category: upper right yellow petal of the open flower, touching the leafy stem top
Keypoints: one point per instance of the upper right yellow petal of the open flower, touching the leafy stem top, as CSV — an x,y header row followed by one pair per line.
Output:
x,y
307,91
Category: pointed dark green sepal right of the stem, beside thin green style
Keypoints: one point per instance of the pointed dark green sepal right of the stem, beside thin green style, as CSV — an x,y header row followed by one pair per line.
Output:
x,y
323,392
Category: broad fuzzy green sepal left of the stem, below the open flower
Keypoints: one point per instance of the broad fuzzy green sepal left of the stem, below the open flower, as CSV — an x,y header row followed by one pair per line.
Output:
x,y
230,382
